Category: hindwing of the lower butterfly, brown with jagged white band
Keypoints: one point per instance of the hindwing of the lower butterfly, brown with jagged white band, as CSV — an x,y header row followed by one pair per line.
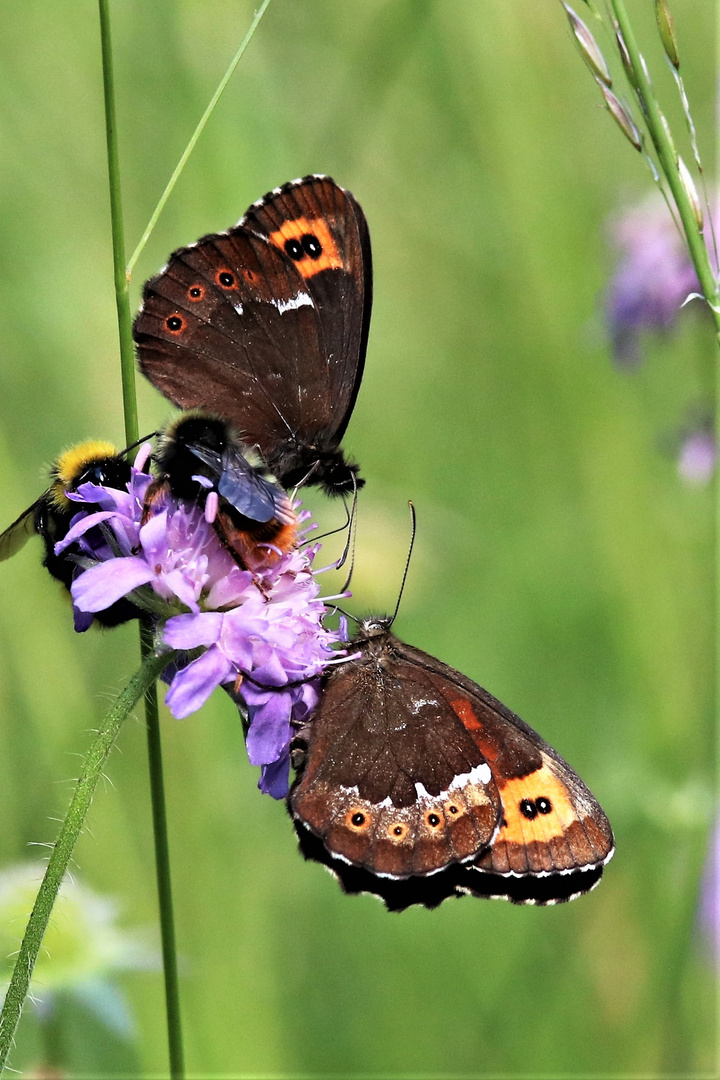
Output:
x,y
392,782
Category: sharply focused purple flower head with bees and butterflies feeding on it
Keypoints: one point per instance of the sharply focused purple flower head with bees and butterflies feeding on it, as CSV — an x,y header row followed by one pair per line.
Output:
x,y
257,632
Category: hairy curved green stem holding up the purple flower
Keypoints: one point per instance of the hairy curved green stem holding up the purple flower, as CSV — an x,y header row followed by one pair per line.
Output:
x,y
71,830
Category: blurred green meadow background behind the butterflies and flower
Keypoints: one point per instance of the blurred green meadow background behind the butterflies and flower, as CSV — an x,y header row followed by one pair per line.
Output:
x,y
561,562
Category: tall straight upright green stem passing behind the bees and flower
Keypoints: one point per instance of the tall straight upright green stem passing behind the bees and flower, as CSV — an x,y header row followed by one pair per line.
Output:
x,y
130,406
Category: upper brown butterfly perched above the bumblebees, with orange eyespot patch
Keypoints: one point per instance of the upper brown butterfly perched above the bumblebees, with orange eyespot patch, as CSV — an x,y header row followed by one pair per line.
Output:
x,y
266,327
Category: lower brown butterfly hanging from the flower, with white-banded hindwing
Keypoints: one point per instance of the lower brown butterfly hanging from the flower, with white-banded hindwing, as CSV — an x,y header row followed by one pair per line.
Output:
x,y
416,785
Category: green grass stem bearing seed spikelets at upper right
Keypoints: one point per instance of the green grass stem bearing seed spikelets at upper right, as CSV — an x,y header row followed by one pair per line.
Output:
x,y
661,141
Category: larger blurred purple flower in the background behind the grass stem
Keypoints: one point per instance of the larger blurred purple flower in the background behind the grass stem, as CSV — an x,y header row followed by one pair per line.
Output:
x,y
654,280
